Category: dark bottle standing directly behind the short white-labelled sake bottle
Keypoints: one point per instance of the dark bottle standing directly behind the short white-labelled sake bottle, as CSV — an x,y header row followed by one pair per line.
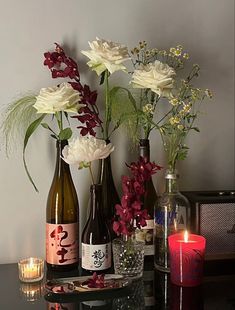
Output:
x,y
109,193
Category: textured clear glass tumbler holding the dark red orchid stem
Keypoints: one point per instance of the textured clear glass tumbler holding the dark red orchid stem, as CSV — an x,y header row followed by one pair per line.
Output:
x,y
128,257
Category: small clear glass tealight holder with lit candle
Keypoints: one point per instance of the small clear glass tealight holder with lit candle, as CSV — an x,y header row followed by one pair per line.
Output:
x,y
31,269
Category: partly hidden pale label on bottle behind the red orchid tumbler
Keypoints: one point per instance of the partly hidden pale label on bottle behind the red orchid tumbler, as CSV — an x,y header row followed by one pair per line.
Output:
x,y
146,234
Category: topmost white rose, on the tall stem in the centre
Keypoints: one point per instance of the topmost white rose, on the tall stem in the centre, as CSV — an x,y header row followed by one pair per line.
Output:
x,y
106,55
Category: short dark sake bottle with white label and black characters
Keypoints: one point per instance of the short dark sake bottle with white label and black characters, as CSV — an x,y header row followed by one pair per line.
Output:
x,y
96,240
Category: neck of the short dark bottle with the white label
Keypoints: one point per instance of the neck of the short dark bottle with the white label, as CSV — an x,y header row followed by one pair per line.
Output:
x,y
96,198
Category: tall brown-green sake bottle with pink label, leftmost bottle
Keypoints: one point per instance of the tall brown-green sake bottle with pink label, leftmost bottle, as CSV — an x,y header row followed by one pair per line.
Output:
x,y
62,218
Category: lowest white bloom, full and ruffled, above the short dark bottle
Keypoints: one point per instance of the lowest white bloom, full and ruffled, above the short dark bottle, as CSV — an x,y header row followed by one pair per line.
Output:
x,y
85,150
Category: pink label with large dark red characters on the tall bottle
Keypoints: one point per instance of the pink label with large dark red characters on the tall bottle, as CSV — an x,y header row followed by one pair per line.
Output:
x,y
62,244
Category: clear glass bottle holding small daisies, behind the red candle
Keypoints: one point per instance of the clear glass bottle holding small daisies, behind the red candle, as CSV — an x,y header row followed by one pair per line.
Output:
x,y
172,215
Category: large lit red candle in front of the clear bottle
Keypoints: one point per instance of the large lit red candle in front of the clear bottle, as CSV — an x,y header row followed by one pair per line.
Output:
x,y
186,258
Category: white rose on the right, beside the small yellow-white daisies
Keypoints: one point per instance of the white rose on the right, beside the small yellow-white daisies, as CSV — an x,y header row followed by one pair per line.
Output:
x,y
157,76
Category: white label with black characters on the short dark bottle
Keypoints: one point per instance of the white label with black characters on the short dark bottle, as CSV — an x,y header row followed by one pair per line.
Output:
x,y
96,257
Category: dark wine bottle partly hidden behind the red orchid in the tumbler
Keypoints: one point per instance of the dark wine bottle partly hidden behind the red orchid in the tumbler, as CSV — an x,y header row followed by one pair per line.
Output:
x,y
150,198
